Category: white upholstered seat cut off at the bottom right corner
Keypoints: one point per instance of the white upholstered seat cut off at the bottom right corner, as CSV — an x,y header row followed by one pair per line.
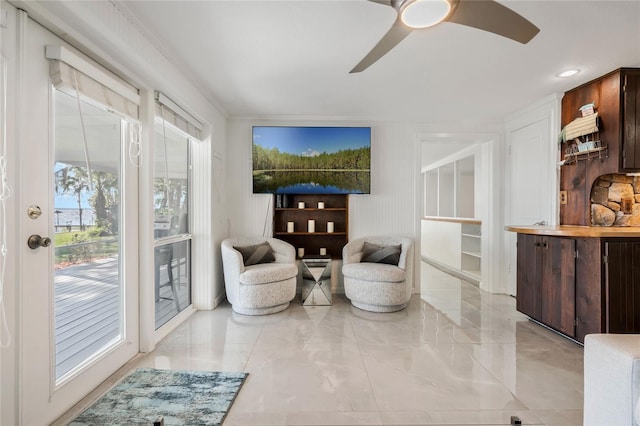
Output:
x,y
611,380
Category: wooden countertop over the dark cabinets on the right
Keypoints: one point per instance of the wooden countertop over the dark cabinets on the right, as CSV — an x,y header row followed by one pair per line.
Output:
x,y
577,231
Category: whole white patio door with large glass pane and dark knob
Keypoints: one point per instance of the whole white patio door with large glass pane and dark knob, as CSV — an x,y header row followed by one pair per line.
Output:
x,y
79,272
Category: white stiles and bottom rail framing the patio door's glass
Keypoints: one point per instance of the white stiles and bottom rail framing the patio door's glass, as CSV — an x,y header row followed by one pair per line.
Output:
x,y
59,397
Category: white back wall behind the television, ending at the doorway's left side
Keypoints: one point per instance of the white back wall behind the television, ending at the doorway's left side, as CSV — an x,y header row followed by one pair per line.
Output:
x,y
389,209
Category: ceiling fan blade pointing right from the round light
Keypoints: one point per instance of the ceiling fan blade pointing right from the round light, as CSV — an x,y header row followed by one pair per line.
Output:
x,y
491,16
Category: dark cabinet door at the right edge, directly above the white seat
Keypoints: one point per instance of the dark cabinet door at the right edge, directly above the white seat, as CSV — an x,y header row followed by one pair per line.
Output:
x,y
622,274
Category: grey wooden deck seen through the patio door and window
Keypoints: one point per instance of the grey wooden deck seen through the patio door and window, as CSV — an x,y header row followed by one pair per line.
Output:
x,y
87,302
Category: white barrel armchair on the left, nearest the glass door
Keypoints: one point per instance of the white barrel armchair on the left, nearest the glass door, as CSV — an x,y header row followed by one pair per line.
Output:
x,y
259,288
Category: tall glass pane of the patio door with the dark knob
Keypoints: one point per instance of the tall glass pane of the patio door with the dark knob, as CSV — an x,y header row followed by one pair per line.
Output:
x,y
88,286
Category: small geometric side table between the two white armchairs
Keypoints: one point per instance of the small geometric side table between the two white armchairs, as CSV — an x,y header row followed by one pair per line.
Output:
x,y
316,281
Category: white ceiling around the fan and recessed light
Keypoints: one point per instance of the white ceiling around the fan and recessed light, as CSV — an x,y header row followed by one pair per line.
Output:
x,y
292,58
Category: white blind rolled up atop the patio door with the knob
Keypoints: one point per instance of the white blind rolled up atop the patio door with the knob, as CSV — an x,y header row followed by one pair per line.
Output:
x,y
71,73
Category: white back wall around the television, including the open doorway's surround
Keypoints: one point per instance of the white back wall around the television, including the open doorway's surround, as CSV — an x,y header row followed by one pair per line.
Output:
x,y
394,205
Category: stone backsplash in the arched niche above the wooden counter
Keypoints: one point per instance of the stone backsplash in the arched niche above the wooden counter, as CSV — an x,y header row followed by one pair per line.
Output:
x,y
615,201
